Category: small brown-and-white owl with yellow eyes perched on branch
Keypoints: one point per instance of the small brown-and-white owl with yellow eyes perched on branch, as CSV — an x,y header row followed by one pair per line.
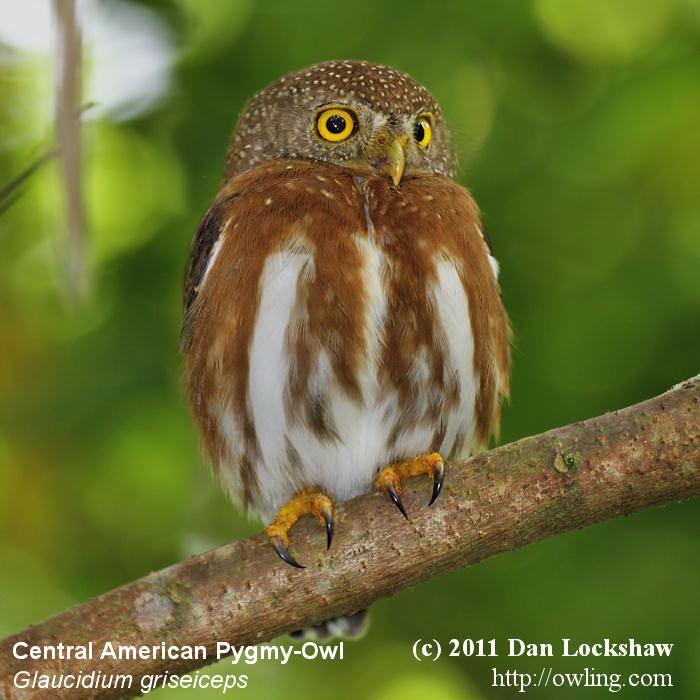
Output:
x,y
343,323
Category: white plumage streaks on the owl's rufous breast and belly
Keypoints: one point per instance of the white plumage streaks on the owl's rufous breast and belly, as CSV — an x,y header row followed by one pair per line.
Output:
x,y
291,455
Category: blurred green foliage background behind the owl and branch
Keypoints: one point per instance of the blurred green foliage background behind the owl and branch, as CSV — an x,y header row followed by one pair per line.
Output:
x,y
578,124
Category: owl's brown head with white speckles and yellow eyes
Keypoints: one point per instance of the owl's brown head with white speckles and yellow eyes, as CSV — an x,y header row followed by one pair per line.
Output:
x,y
354,114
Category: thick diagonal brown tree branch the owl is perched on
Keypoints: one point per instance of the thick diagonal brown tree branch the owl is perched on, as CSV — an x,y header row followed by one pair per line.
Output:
x,y
501,500
